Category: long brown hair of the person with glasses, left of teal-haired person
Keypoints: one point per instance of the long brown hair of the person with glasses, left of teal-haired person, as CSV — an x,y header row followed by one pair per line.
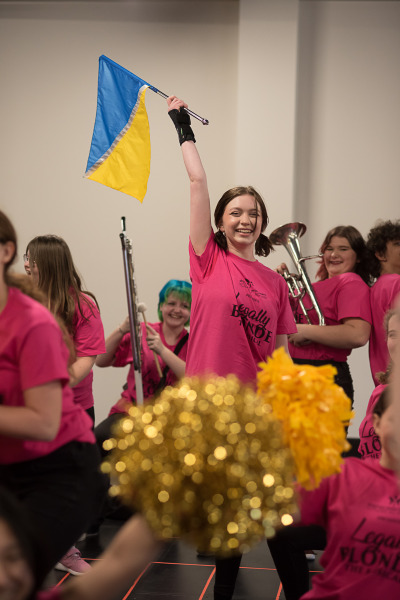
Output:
x,y
58,278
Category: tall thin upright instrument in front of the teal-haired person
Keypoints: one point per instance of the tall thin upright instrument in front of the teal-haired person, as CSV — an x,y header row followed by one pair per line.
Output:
x,y
131,294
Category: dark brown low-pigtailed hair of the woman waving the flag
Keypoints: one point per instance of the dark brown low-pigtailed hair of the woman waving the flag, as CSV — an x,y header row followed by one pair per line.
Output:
x,y
263,245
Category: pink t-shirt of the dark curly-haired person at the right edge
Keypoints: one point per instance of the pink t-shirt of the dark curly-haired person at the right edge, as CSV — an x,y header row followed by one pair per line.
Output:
x,y
383,294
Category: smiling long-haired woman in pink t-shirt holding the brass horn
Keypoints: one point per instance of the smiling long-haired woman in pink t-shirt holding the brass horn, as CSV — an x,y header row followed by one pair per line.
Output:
x,y
342,293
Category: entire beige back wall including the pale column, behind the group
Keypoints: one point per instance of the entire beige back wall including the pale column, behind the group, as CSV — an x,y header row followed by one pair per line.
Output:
x,y
302,99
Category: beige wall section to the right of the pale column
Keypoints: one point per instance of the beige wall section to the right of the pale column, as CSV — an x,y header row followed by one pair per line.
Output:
x,y
348,129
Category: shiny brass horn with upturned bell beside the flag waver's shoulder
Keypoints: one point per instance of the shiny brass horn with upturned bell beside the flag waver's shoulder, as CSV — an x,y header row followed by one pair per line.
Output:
x,y
288,236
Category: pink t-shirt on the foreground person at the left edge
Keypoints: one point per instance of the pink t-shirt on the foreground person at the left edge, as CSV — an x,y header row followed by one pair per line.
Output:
x,y
33,353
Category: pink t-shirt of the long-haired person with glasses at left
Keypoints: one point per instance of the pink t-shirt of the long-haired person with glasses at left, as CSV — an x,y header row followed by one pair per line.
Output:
x,y
88,337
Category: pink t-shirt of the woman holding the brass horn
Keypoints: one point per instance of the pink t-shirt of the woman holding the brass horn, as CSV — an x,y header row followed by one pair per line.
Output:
x,y
342,297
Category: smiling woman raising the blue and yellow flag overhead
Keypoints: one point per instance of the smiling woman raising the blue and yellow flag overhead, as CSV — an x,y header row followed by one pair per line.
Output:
x,y
241,310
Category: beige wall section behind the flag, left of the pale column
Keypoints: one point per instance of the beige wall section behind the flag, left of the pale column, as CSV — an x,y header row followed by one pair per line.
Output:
x,y
48,102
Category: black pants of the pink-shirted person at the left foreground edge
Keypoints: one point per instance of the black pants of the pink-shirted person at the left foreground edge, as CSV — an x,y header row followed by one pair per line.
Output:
x,y
60,492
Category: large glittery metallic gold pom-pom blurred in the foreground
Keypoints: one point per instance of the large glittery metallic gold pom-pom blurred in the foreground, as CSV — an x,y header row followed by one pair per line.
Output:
x,y
206,462
